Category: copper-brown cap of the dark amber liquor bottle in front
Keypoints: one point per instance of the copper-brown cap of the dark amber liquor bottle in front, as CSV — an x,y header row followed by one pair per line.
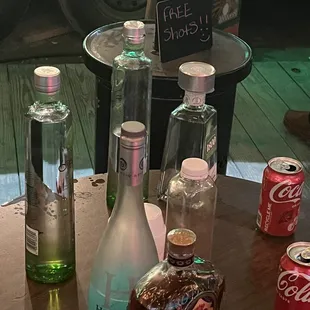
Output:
x,y
181,241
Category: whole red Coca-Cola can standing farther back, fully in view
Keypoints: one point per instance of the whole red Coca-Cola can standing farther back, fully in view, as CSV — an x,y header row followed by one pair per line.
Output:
x,y
280,197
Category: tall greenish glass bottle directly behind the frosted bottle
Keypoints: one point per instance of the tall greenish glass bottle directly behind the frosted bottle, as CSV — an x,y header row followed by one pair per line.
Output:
x,y
131,99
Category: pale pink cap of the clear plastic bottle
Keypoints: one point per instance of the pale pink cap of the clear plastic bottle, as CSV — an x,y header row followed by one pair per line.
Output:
x,y
194,169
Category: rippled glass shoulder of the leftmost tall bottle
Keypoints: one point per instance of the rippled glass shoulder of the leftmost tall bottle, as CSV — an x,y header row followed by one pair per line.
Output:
x,y
53,112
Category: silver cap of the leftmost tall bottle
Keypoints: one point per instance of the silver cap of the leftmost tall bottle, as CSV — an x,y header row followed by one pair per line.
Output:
x,y
47,79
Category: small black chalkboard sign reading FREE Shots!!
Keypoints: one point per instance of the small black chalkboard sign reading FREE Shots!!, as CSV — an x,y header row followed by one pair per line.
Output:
x,y
184,27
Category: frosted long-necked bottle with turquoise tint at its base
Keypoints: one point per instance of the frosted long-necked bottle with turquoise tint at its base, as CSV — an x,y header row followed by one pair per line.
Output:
x,y
127,249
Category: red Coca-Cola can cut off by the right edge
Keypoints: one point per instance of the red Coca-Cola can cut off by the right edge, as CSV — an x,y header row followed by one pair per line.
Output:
x,y
293,285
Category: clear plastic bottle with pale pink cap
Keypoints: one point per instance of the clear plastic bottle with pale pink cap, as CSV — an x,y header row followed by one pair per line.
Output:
x,y
191,203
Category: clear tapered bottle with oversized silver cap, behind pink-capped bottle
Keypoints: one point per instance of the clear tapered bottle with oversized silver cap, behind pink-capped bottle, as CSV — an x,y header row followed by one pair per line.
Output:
x,y
192,129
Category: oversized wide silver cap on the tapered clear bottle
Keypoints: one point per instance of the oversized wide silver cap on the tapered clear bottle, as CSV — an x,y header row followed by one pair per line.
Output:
x,y
198,77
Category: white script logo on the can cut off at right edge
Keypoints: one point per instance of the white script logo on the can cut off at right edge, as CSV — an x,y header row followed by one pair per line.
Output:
x,y
287,285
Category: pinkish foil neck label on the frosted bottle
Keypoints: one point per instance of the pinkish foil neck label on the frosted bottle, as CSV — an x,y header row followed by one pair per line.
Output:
x,y
131,164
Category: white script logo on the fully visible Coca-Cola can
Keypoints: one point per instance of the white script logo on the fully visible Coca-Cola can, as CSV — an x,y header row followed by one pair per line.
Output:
x,y
285,192
